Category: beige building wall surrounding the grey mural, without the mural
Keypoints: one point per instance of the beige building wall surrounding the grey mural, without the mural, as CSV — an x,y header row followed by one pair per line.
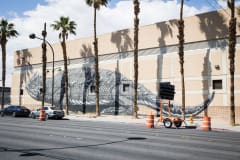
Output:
x,y
202,64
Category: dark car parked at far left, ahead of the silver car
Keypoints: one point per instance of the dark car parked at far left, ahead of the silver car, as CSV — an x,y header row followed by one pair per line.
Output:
x,y
15,110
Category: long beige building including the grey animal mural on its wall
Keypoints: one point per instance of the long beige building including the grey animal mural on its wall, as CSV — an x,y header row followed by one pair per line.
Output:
x,y
206,67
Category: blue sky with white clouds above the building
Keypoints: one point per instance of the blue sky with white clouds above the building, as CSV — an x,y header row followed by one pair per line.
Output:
x,y
30,15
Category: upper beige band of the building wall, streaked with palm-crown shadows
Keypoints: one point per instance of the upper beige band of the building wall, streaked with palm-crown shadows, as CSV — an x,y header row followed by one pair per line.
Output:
x,y
208,26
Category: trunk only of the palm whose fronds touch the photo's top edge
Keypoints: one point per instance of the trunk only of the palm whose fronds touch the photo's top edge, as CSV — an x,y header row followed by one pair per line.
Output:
x,y
95,43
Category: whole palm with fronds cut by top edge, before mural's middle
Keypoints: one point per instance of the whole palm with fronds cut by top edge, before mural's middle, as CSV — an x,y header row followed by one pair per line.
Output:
x,y
96,5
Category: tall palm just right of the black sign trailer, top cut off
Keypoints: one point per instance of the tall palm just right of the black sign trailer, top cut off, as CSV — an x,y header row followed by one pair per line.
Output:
x,y
181,55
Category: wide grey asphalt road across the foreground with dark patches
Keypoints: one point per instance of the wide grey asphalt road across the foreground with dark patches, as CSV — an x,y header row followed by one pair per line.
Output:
x,y
29,139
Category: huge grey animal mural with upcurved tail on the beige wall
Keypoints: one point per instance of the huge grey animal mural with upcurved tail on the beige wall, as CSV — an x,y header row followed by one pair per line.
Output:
x,y
115,93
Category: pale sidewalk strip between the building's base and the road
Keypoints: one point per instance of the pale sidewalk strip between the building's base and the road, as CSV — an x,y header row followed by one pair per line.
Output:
x,y
216,124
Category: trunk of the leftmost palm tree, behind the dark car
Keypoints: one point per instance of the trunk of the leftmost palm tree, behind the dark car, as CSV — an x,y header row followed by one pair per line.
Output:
x,y
3,44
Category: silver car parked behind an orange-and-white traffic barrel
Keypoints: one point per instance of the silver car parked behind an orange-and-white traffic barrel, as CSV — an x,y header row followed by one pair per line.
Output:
x,y
50,112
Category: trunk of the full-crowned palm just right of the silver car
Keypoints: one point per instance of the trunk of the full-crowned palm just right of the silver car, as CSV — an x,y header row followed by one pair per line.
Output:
x,y
63,43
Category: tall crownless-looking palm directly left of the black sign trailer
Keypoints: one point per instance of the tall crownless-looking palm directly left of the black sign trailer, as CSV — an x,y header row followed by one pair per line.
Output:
x,y
136,24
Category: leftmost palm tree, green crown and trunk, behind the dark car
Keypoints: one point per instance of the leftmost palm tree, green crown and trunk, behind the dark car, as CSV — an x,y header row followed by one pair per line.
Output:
x,y
6,31
